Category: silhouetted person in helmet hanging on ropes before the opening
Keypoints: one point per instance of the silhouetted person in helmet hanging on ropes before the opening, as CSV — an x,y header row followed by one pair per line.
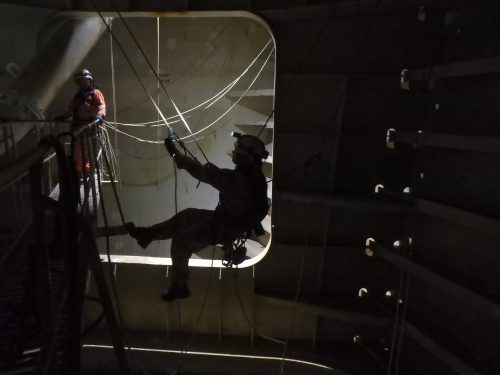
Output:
x,y
242,206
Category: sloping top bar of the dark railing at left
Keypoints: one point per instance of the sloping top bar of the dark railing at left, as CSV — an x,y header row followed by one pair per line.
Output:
x,y
19,168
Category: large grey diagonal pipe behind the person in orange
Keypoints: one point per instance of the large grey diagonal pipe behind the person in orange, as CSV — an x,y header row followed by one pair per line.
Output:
x,y
62,45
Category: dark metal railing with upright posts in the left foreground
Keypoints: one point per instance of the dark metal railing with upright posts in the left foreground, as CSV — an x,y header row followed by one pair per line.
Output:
x,y
61,314
